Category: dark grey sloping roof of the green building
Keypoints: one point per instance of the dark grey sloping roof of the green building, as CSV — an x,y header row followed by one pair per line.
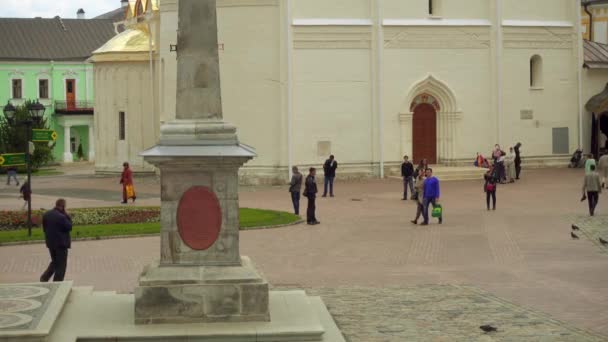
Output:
x,y
56,39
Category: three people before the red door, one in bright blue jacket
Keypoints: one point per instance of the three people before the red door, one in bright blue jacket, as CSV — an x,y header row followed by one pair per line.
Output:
x,y
424,189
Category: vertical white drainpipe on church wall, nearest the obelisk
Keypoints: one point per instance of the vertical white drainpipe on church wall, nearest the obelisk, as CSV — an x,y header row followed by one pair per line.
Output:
x,y
289,100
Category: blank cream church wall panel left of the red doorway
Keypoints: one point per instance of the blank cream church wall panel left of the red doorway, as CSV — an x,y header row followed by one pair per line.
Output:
x,y
332,104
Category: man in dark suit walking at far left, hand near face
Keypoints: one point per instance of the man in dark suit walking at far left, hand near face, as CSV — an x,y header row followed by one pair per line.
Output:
x,y
57,226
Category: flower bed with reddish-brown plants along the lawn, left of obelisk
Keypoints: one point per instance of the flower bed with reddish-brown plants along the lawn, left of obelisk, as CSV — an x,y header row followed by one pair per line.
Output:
x,y
12,220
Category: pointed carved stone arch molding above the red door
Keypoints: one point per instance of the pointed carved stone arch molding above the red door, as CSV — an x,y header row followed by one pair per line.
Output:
x,y
437,89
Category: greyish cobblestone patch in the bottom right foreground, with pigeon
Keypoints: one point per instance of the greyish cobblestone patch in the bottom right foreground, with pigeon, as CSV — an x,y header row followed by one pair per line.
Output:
x,y
439,313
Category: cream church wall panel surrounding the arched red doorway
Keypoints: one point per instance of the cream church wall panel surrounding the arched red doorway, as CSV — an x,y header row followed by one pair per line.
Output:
x,y
466,71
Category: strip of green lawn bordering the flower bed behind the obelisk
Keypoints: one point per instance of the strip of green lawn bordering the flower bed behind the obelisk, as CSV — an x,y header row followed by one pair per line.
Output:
x,y
249,219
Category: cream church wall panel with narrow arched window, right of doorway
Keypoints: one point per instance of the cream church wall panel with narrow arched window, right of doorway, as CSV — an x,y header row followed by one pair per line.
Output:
x,y
554,104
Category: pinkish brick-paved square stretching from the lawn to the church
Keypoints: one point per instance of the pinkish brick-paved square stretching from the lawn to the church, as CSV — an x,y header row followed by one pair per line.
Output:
x,y
521,252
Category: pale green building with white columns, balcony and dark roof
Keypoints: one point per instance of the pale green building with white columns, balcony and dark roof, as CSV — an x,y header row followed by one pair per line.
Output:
x,y
46,59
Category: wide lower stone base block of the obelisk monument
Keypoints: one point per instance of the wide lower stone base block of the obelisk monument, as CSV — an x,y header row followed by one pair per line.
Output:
x,y
177,294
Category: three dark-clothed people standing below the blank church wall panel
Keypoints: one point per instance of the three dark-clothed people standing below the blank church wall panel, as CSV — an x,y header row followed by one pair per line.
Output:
x,y
310,188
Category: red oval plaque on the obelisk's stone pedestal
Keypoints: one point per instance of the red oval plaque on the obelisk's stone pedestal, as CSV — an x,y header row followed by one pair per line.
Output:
x,y
199,218
